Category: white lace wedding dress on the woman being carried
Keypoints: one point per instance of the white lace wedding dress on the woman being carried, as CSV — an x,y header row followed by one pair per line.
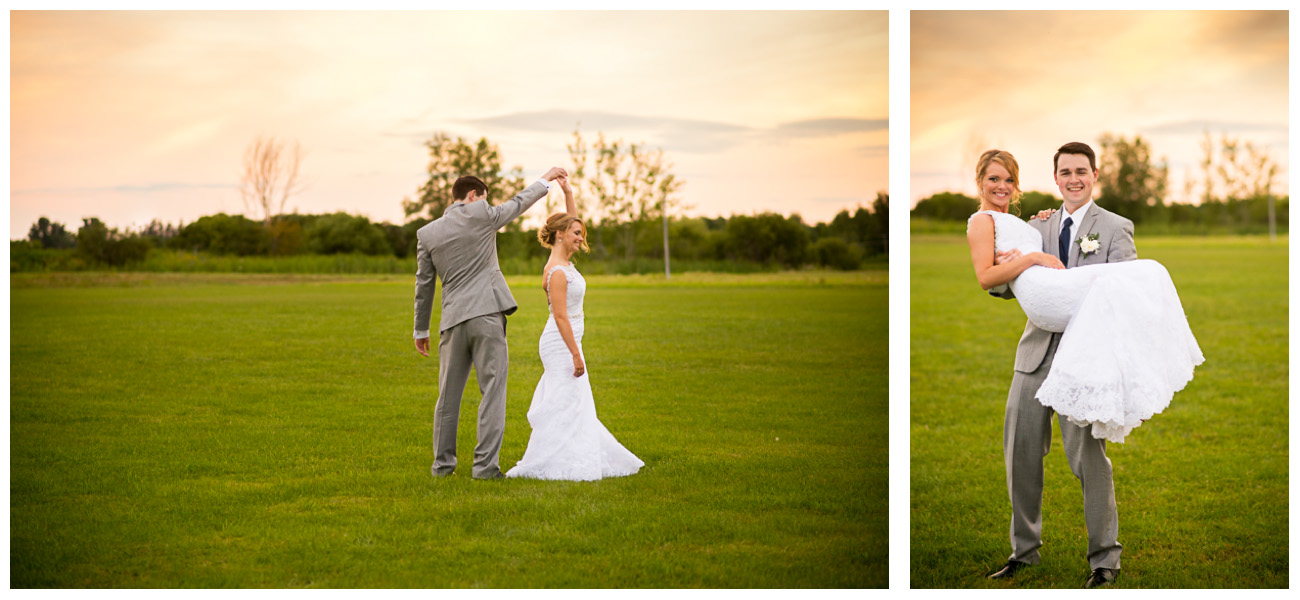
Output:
x,y
1126,346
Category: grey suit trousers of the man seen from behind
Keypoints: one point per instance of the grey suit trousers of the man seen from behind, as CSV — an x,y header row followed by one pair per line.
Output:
x,y
479,342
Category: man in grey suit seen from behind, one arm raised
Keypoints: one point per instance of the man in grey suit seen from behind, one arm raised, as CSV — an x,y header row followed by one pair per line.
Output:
x,y
461,247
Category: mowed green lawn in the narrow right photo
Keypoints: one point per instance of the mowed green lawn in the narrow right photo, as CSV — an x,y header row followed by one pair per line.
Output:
x,y
1202,489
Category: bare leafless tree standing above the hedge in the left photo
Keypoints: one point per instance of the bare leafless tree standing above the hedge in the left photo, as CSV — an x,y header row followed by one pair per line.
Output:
x,y
270,177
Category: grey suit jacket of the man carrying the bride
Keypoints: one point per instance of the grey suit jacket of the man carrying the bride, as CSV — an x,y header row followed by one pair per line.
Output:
x,y
1117,246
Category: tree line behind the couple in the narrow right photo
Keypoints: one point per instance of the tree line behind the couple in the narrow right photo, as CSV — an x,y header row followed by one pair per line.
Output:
x,y
1233,190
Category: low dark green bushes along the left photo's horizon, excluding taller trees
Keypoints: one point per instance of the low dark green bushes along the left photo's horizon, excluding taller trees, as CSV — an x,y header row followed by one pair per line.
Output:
x,y
768,240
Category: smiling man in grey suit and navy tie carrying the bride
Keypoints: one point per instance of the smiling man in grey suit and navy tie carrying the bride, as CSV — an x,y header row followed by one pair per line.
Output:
x,y
1080,234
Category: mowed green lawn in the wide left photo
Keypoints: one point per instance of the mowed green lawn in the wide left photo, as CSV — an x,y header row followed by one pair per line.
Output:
x,y
245,432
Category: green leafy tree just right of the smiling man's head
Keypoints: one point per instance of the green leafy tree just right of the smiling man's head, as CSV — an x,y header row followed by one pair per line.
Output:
x,y
1132,182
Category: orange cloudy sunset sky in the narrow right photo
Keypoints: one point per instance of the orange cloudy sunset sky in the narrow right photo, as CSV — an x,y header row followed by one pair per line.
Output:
x,y
1028,82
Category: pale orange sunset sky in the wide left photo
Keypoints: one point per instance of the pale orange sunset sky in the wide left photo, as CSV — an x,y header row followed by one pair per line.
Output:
x,y
132,116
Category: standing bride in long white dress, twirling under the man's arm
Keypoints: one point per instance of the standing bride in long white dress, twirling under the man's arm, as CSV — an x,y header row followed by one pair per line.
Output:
x,y
569,442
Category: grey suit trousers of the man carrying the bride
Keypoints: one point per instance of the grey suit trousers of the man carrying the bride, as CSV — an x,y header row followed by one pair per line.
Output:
x,y
1026,441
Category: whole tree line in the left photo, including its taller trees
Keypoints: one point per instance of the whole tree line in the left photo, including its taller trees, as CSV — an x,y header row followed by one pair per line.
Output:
x,y
626,192
